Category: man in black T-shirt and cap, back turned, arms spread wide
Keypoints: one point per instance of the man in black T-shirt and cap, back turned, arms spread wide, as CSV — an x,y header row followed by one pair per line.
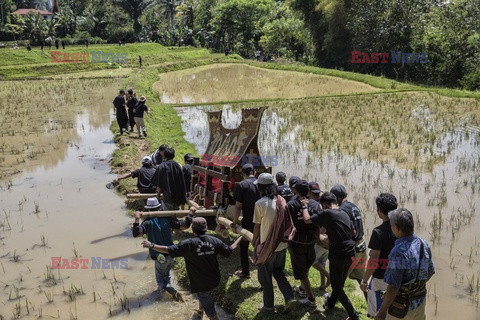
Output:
x,y
200,253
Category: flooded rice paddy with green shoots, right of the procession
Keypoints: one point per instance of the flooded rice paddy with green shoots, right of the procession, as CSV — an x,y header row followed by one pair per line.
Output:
x,y
422,147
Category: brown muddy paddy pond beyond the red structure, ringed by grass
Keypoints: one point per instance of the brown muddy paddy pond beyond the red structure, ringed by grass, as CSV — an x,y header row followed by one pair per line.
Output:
x,y
230,82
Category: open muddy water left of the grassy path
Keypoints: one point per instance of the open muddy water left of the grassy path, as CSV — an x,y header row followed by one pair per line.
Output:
x,y
61,208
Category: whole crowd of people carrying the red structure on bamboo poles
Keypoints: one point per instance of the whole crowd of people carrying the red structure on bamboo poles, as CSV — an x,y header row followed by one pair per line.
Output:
x,y
314,226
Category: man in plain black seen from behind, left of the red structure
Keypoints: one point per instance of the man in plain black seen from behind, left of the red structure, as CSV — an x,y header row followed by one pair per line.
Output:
x,y
169,179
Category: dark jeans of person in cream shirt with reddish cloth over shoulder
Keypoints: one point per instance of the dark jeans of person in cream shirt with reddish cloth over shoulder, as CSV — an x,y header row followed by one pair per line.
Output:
x,y
274,266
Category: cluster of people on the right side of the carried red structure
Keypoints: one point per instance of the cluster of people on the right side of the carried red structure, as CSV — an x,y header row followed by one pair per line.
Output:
x,y
329,226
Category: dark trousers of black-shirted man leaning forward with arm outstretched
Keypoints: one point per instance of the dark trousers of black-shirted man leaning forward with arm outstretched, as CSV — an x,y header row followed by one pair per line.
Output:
x,y
338,275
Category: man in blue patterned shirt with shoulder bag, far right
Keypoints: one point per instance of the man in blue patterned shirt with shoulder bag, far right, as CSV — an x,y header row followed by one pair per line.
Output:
x,y
410,266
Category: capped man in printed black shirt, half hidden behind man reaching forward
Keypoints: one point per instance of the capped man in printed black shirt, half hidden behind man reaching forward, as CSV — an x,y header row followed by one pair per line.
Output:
x,y
360,245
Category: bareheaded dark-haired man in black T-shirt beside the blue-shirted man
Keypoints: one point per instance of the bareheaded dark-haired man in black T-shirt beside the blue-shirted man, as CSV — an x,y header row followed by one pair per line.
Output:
x,y
381,243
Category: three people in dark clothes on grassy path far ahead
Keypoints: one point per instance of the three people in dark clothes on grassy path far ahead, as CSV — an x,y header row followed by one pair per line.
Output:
x,y
130,111
